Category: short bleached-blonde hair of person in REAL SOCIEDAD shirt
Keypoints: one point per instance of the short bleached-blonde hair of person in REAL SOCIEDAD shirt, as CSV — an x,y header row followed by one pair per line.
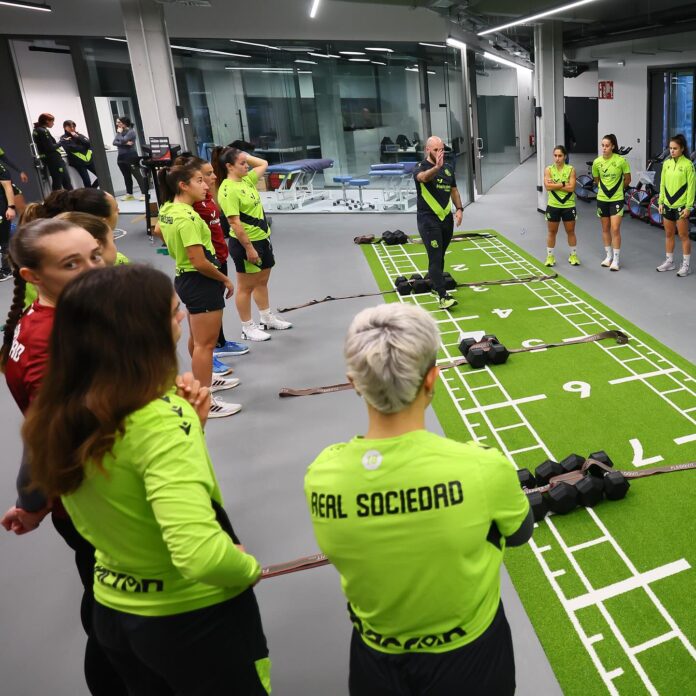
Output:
x,y
388,350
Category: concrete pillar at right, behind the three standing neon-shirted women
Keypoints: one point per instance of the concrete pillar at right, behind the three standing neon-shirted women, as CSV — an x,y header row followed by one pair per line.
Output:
x,y
548,61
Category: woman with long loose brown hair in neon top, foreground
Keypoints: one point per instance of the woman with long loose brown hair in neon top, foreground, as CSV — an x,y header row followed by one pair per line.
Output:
x,y
124,448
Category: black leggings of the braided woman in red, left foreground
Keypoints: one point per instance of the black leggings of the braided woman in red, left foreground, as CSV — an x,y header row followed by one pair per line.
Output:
x,y
101,677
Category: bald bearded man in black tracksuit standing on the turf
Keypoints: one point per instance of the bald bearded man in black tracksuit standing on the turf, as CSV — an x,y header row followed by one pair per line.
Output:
x,y
437,190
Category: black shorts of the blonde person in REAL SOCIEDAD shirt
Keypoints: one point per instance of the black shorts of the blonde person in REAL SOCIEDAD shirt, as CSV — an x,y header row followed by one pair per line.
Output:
x,y
482,668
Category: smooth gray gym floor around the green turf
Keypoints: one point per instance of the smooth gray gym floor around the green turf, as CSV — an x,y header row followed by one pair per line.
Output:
x,y
260,455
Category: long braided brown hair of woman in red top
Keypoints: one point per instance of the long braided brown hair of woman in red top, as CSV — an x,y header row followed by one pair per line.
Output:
x,y
25,252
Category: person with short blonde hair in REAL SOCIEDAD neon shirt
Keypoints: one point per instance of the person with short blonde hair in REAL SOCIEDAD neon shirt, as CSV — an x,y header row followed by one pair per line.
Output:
x,y
416,525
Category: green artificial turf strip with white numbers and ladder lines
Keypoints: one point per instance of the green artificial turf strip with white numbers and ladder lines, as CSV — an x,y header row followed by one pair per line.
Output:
x,y
653,525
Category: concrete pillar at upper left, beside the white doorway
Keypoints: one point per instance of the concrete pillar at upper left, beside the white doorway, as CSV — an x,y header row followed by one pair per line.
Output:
x,y
153,70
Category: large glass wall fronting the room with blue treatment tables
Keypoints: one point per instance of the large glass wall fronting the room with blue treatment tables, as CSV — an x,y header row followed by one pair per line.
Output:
x,y
356,105
